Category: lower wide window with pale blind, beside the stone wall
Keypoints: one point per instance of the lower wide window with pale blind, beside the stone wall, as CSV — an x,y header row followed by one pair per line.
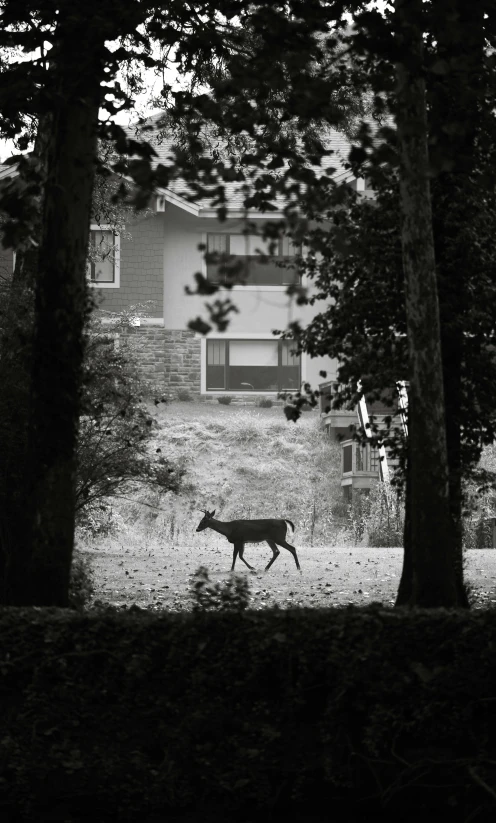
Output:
x,y
252,365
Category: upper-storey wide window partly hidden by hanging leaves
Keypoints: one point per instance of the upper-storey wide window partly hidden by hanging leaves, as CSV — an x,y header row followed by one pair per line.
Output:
x,y
233,256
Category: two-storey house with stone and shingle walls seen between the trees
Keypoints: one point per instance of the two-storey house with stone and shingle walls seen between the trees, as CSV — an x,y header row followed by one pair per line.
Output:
x,y
156,258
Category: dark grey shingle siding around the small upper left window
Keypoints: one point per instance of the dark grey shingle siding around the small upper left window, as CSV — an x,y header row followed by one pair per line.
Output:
x,y
141,269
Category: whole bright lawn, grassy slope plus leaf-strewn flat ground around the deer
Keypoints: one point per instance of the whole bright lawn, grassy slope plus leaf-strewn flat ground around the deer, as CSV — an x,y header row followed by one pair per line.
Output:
x,y
249,462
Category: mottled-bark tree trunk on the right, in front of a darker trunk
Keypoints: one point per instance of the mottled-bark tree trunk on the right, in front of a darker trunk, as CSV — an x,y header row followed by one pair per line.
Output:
x,y
432,569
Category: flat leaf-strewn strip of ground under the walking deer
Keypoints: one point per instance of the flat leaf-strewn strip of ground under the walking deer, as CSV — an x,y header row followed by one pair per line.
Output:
x,y
329,577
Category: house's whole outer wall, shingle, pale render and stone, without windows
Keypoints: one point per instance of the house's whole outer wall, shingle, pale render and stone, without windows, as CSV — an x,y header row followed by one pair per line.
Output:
x,y
157,263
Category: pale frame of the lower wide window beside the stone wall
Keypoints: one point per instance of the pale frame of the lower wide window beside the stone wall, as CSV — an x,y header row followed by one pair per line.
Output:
x,y
247,339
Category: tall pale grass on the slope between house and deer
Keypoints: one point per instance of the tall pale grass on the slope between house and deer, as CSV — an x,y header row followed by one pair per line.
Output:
x,y
244,463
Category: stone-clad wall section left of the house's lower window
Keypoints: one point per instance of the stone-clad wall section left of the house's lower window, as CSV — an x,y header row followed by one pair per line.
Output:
x,y
171,360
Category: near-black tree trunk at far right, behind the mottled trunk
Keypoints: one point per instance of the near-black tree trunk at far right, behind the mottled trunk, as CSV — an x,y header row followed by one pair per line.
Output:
x,y
456,118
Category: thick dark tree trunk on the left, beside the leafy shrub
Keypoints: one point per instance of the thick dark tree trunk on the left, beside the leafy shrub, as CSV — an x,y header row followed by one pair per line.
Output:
x,y
60,306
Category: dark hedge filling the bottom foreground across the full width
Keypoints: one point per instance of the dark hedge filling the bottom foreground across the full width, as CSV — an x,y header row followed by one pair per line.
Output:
x,y
366,713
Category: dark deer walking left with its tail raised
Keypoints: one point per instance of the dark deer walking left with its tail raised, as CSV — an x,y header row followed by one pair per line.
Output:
x,y
239,532
